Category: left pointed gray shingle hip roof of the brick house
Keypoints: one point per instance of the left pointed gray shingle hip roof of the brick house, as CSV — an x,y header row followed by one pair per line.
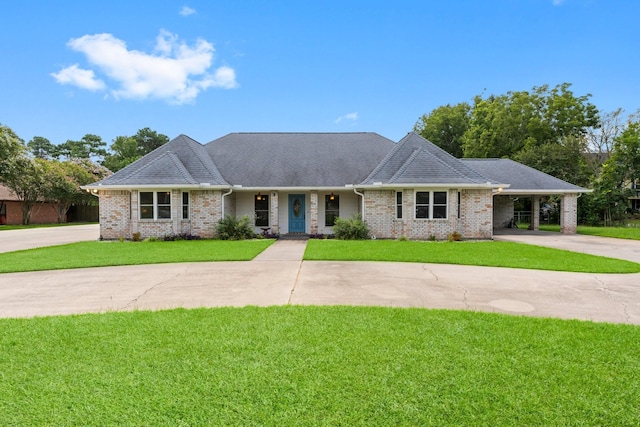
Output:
x,y
181,161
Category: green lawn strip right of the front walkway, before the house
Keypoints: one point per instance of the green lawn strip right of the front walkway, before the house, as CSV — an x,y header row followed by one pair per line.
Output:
x,y
485,253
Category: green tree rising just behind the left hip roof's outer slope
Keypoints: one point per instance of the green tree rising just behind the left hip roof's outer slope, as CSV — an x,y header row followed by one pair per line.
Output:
x,y
127,149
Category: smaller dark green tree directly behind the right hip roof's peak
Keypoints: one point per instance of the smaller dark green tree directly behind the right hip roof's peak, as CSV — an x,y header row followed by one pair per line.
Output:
x,y
445,126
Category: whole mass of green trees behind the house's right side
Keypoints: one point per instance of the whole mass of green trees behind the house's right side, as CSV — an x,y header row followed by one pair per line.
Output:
x,y
555,131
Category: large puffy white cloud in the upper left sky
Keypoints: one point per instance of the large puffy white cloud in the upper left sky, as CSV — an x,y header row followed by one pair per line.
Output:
x,y
175,71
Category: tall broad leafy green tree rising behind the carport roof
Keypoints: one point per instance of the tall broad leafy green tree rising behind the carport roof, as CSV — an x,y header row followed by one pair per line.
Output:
x,y
502,126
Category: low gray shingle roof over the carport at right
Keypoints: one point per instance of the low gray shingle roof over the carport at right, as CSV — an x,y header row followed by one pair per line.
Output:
x,y
520,177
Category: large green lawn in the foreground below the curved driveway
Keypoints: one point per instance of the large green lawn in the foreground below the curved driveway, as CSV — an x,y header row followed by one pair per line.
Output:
x,y
326,366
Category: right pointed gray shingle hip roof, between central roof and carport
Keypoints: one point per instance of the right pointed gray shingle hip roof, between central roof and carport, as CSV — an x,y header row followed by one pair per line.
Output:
x,y
415,160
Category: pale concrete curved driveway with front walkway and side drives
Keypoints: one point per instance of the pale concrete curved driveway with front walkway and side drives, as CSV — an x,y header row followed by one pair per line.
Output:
x,y
278,276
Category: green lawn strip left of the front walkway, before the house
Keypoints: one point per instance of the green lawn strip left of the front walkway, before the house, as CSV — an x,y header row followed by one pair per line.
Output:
x,y
100,254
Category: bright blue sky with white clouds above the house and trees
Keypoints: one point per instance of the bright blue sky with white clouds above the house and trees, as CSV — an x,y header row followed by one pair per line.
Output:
x,y
207,68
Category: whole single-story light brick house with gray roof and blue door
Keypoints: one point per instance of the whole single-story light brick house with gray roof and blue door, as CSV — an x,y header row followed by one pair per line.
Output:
x,y
292,183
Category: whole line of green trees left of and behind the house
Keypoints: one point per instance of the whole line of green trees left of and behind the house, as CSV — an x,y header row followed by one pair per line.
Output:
x,y
39,171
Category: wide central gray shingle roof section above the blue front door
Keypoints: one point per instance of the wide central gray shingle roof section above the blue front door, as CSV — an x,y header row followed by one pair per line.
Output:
x,y
298,159
